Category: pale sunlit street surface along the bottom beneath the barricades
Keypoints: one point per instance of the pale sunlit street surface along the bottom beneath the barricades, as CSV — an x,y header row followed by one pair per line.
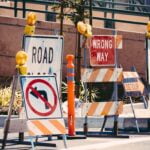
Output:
x,y
134,142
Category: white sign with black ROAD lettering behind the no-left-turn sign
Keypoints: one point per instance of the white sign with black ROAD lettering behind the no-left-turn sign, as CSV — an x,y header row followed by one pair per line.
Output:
x,y
45,54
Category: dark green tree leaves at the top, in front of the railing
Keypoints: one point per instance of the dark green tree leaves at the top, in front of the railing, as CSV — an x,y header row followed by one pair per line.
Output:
x,y
75,9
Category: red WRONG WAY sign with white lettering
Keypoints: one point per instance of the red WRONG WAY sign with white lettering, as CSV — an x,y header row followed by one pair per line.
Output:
x,y
102,50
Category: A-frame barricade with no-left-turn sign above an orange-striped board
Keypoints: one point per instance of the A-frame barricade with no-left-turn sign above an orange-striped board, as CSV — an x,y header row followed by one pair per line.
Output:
x,y
43,110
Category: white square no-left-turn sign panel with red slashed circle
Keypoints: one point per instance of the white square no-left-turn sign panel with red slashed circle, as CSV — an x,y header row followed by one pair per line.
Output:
x,y
41,97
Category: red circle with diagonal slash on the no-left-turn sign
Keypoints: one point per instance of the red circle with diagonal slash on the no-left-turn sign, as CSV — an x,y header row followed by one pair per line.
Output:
x,y
31,88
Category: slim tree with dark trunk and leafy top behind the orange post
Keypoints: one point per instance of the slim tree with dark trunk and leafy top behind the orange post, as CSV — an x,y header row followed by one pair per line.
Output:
x,y
75,11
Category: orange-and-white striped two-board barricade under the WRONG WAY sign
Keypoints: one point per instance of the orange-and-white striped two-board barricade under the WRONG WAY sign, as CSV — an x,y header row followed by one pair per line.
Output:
x,y
101,108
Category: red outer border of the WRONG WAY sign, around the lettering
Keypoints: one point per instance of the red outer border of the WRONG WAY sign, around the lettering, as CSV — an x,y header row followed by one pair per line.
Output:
x,y
114,51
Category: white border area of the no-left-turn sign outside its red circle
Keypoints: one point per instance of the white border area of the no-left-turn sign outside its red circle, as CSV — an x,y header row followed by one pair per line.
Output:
x,y
25,97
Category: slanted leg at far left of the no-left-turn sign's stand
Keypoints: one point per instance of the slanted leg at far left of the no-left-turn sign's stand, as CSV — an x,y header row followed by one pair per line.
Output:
x,y
6,128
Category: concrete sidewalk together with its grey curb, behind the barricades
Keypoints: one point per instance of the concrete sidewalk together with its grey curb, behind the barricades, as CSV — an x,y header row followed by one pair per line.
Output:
x,y
126,120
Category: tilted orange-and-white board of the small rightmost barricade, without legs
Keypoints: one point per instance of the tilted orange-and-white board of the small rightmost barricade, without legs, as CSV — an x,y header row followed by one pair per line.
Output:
x,y
132,84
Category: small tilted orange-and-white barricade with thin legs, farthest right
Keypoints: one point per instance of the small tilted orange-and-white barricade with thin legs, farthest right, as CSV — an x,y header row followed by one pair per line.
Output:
x,y
133,87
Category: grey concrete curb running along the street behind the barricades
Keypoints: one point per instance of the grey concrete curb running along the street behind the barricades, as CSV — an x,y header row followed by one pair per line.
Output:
x,y
96,122
